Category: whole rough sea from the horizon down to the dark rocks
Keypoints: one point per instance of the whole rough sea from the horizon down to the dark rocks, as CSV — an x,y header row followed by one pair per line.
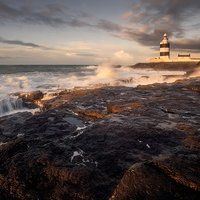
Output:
x,y
51,79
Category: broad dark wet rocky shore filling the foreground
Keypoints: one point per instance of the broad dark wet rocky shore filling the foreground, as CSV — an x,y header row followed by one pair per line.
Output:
x,y
111,143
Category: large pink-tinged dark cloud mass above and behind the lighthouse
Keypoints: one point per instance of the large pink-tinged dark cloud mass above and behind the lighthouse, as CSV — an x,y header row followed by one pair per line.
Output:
x,y
155,17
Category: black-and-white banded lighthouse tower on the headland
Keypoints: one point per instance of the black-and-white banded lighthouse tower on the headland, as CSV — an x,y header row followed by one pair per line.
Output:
x,y
164,48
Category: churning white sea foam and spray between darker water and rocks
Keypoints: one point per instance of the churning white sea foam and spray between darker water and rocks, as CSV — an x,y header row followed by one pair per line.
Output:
x,y
50,81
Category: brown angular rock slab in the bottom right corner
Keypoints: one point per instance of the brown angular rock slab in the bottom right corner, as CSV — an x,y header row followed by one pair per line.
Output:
x,y
176,177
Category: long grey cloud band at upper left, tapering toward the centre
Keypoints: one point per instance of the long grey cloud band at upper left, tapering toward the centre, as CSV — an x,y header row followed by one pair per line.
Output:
x,y
54,15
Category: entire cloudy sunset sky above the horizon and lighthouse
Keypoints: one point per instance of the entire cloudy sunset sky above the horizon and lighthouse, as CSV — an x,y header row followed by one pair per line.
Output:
x,y
95,32
